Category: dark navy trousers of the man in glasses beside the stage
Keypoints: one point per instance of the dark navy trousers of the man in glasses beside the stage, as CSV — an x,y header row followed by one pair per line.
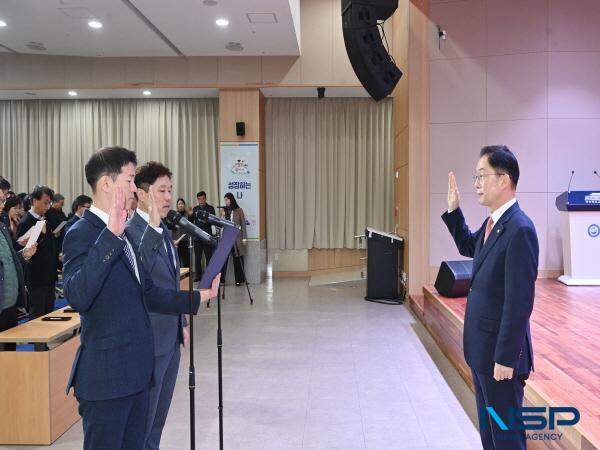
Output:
x,y
503,396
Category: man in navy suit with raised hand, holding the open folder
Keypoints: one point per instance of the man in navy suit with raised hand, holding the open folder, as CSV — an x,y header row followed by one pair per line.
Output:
x,y
104,281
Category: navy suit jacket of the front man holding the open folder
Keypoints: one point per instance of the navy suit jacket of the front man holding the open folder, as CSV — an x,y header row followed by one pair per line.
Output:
x,y
116,355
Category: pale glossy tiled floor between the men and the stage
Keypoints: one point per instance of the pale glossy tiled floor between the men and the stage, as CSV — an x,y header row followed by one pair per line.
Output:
x,y
317,368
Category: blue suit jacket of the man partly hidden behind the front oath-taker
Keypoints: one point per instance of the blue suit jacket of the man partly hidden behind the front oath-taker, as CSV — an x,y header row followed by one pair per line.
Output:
x,y
166,327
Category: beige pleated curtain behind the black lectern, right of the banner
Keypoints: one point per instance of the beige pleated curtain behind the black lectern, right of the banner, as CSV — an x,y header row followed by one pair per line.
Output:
x,y
329,171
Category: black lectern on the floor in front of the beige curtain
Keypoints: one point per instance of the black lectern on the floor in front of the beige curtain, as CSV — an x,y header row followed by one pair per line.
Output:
x,y
385,267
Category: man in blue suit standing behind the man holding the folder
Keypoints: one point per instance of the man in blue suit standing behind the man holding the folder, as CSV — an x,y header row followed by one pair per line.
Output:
x,y
168,330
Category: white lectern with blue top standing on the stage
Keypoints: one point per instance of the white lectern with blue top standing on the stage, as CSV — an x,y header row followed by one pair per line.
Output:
x,y
580,229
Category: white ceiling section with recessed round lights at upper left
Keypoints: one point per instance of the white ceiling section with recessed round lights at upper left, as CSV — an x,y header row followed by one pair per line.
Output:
x,y
149,27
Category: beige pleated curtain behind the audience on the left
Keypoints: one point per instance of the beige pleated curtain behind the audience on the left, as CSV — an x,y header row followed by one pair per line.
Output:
x,y
48,142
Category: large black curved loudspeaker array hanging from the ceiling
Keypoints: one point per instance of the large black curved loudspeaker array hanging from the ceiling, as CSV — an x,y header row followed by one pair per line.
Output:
x,y
370,60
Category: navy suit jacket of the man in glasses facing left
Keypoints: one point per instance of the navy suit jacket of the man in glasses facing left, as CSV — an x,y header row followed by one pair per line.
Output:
x,y
502,291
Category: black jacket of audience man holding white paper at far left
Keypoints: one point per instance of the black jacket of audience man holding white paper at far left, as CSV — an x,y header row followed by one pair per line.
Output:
x,y
43,265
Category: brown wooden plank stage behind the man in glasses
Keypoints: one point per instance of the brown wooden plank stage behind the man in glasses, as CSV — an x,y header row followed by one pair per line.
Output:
x,y
565,329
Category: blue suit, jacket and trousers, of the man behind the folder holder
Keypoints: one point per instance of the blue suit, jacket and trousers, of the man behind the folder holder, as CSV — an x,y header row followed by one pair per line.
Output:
x,y
167,329
